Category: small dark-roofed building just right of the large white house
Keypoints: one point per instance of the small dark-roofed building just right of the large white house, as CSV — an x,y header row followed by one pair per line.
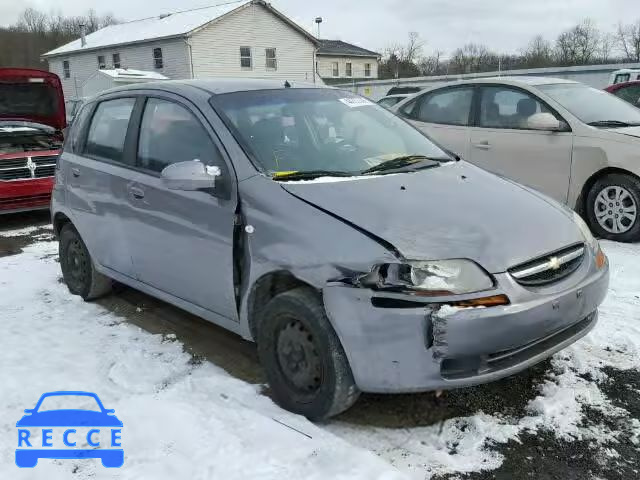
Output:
x,y
338,61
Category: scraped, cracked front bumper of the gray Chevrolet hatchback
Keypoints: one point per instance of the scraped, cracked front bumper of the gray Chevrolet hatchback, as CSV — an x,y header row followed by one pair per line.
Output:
x,y
411,347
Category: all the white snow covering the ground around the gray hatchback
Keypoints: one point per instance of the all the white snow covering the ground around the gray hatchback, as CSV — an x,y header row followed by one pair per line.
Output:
x,y
188,420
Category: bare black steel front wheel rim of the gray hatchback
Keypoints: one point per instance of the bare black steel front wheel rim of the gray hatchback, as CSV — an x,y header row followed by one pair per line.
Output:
x,y
298,357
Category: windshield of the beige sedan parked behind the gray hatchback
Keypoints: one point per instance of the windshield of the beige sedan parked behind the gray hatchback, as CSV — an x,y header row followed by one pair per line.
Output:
x,y
591,105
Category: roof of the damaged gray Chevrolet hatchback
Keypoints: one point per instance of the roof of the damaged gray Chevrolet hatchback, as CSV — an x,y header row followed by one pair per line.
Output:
x,y
218,86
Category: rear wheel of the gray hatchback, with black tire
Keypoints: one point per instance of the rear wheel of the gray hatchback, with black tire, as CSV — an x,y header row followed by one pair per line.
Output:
x,y
78,270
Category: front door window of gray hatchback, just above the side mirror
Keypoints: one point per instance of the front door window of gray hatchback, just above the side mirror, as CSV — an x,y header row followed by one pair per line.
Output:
x,y
169,133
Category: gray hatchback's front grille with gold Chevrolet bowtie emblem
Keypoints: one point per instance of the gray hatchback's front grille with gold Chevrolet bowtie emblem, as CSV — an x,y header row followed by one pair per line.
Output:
x,y
550,268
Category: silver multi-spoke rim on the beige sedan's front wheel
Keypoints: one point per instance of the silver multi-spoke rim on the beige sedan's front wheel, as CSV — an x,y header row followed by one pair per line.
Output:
x,y
616,209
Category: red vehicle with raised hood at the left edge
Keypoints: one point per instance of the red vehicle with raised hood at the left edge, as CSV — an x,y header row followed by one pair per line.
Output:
x,y
32,117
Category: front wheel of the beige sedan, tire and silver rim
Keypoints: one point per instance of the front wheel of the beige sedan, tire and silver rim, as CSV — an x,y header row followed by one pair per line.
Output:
x,y
613,208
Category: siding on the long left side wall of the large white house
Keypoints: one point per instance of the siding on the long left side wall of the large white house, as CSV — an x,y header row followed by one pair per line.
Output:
x,y
83,65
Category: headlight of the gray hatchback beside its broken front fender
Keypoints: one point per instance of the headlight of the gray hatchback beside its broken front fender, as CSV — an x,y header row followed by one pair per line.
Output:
x,y
431,278
